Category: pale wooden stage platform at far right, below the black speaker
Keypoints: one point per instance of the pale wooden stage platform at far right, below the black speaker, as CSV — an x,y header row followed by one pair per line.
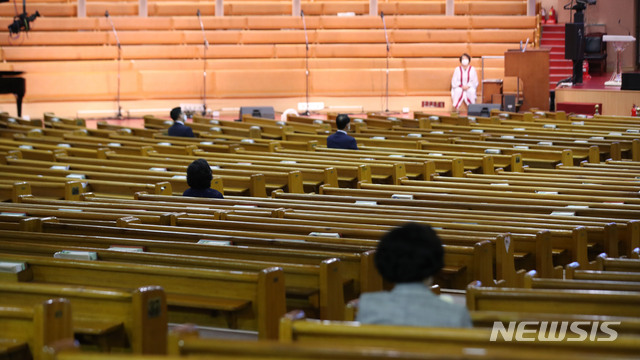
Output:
x,y
593,91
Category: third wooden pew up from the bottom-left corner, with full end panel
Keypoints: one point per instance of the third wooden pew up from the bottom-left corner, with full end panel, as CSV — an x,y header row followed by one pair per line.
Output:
x,y
248,300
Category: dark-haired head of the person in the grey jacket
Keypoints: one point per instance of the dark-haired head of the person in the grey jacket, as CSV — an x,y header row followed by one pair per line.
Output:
x,y
409,253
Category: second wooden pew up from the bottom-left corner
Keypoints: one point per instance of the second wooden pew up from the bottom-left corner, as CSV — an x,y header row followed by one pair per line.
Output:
x,y
140,313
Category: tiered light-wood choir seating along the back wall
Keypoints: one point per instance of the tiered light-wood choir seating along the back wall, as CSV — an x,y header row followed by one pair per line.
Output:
x,y
259,43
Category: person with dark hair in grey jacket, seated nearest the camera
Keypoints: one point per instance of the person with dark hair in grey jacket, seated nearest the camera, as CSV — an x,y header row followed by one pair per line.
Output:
x,y
409,256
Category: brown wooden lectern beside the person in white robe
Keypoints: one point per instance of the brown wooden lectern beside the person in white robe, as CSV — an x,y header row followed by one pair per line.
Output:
x,y
532,67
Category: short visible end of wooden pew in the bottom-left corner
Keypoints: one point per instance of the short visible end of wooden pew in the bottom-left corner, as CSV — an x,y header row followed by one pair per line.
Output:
x,y
44,327
